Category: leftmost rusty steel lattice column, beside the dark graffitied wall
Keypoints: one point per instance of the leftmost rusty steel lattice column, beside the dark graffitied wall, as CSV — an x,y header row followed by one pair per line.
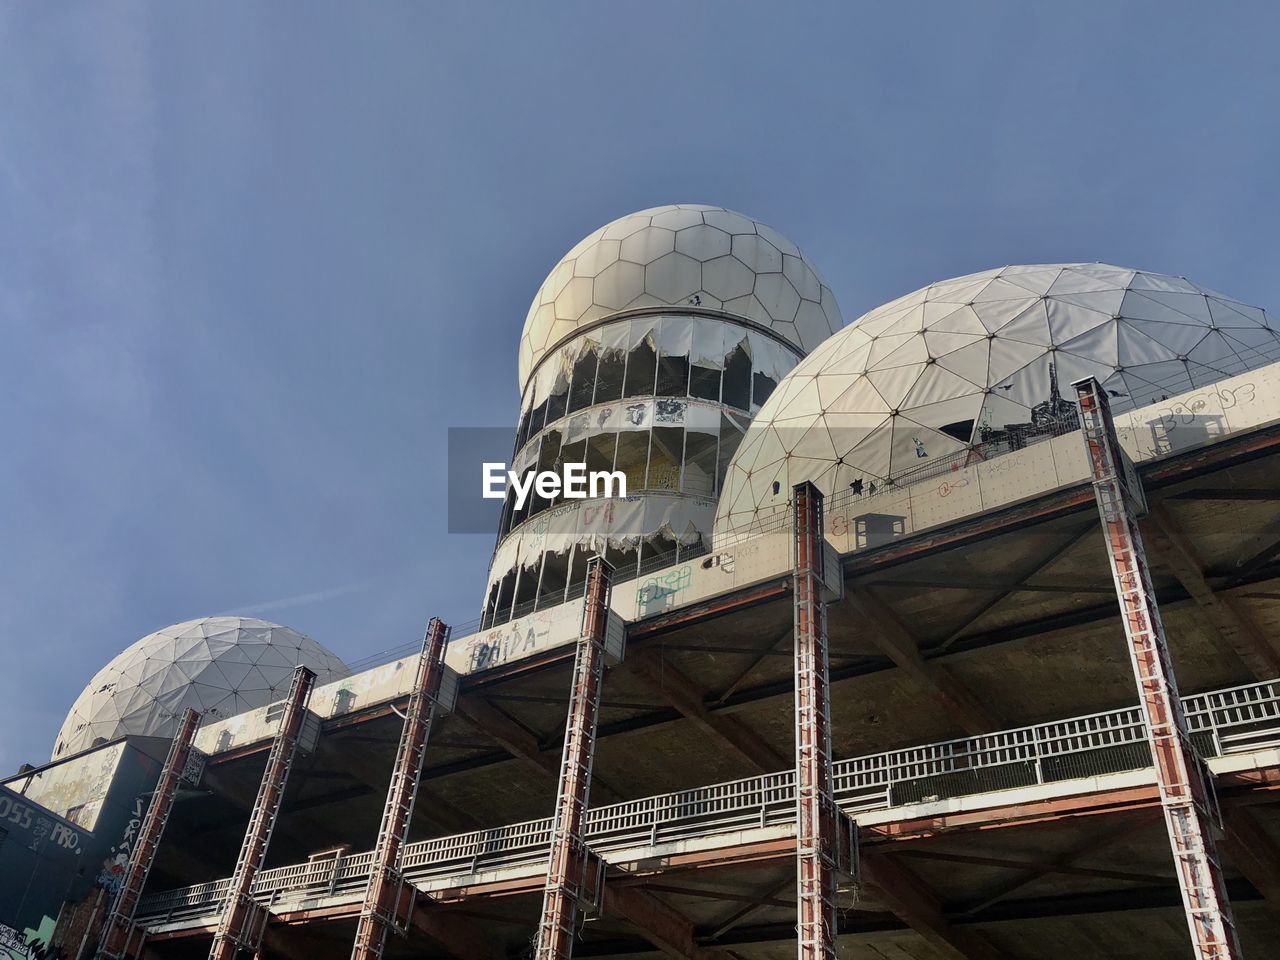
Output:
x,y
120,929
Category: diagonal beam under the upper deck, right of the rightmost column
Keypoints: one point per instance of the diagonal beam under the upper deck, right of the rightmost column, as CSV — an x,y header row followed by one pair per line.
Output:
x,y
1231,621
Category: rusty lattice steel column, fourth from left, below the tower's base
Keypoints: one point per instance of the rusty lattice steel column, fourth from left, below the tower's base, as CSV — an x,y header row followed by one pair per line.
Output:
x,y
568,866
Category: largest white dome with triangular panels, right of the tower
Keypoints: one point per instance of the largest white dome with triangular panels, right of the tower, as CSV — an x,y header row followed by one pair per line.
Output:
x,y
963,362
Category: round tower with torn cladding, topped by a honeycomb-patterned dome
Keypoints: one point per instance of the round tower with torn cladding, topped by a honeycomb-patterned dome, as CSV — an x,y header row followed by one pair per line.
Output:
x,y
647,351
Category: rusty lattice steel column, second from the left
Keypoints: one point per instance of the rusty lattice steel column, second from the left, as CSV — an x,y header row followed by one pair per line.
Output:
x,y
244,920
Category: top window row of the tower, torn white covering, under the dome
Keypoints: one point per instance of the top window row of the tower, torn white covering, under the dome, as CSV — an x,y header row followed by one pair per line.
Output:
x,y
656,356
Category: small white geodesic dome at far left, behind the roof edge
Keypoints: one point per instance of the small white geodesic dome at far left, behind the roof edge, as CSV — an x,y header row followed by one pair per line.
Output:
x,y
220,666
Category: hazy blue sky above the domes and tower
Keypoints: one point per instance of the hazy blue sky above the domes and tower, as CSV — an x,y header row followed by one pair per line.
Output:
x,y
255,259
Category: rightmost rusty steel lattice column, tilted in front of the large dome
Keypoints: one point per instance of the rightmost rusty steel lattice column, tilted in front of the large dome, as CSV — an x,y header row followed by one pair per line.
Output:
x,y
1185,794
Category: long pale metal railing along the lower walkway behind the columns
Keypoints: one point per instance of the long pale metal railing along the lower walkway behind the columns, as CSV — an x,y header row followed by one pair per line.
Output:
x,y
1236,720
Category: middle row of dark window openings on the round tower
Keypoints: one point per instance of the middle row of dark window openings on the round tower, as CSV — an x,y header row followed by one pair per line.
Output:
x,y
687,460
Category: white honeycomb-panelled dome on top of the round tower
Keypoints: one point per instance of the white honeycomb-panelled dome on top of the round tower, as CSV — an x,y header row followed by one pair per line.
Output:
x,y
685,255
